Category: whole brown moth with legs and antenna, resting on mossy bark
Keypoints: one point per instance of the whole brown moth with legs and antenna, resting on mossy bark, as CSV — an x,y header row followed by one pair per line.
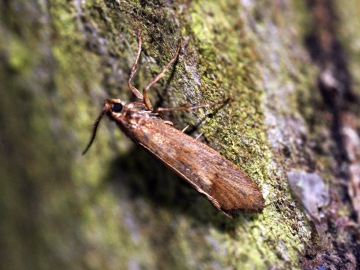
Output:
x,y
220,181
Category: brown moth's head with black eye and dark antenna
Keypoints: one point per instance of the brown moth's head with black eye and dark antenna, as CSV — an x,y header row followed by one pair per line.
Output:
x,y
111,107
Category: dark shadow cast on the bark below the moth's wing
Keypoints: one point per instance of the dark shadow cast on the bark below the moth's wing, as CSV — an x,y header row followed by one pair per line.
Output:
x,y
142,176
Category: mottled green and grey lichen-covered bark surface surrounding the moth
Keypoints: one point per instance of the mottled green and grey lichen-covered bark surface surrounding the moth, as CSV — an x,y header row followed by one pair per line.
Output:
x,y
292,70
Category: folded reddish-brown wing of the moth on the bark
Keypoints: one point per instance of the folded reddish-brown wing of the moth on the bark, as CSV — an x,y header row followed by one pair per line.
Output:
x,y
225,185
